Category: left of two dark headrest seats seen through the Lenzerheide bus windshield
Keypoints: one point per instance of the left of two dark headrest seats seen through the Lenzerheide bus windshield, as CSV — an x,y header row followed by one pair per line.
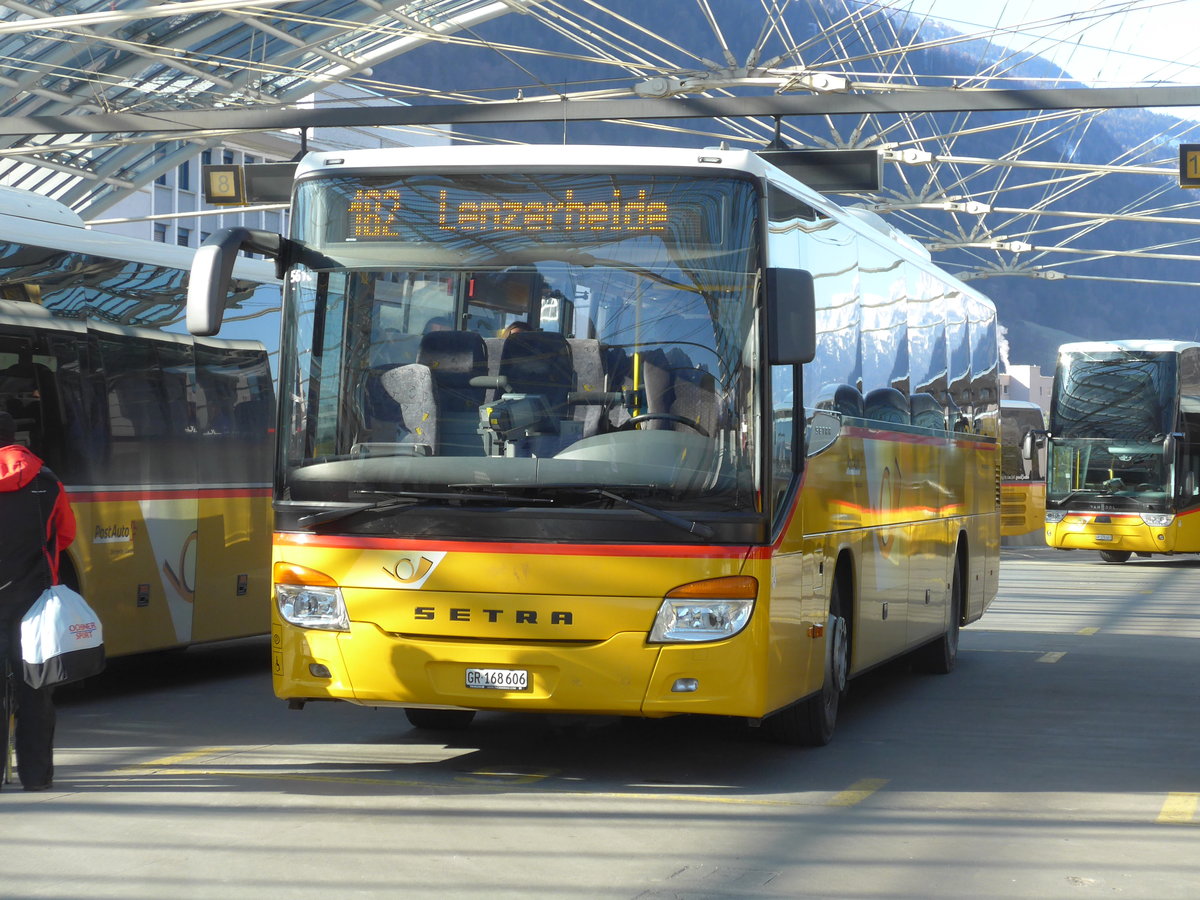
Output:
x,y
454,358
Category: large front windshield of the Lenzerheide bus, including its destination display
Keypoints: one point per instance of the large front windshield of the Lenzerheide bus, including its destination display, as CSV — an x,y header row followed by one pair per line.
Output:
x,y
539,337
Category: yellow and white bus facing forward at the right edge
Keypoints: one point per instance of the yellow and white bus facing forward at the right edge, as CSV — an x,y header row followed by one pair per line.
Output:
x,y
1125,449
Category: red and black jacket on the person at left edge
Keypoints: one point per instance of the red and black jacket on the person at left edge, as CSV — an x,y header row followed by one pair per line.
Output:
x,y
29,556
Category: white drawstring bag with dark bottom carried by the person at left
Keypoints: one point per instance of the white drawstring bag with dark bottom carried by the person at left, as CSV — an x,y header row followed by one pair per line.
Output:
x,y
62,639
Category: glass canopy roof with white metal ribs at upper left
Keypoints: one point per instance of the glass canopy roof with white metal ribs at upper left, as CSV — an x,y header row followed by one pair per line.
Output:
x,y
82,57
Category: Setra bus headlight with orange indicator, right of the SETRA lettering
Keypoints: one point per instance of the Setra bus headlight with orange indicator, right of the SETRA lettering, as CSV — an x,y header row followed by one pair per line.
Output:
x,y
710,610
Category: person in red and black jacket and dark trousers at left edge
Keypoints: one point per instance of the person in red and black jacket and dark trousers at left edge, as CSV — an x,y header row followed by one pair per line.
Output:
x,y
38,526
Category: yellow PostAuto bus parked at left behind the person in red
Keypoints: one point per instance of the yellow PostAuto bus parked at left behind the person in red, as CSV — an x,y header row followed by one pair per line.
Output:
x,y
163,441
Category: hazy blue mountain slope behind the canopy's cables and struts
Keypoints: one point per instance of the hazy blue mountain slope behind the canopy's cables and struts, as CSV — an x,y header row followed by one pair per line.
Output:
x,y
1102,298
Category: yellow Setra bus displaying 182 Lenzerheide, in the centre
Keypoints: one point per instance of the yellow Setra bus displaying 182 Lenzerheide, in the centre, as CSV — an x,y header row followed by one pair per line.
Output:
x,y
615,430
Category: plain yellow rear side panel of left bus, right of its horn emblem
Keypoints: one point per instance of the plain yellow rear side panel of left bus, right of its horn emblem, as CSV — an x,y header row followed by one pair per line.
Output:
x,y
233,578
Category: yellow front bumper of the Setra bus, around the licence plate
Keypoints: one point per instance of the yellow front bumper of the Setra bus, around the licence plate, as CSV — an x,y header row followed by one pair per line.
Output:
x,y
622,676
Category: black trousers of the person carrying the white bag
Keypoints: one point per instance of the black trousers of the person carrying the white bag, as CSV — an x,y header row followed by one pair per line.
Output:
x,y
34,709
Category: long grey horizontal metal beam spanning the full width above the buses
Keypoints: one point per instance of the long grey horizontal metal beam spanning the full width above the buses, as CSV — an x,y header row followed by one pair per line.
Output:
x,y
262,118
